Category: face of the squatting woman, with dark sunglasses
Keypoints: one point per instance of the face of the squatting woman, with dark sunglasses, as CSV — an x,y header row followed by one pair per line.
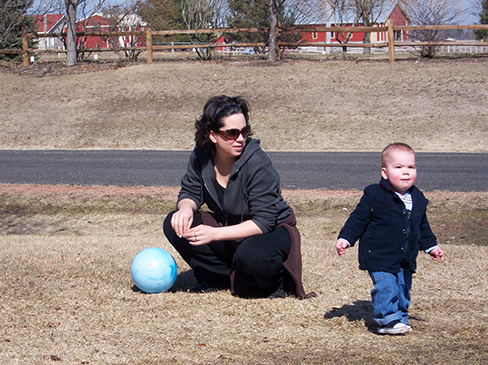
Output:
x,y
225,140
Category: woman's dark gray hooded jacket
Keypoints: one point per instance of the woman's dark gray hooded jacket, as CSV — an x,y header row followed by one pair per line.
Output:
x,y
252,192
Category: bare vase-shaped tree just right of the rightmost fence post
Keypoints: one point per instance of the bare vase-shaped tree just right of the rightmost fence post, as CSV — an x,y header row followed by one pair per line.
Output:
x,y
431,12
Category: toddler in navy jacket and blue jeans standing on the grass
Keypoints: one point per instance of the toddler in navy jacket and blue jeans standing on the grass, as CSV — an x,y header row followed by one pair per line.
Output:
x,y
391,224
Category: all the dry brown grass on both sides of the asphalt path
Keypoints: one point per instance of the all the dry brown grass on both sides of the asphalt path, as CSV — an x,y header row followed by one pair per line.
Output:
x,y
65,251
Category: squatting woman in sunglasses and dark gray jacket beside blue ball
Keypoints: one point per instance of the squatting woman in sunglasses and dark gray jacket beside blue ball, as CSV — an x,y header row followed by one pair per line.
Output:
x,y
247,240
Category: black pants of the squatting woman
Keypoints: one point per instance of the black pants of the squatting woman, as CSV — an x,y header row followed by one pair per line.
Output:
x,y
261,256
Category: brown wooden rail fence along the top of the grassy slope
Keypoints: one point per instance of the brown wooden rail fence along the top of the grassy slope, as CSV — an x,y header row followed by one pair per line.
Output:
x,y
149,47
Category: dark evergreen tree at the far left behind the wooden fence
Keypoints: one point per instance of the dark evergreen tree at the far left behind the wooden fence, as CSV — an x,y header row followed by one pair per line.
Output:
x,y
13,19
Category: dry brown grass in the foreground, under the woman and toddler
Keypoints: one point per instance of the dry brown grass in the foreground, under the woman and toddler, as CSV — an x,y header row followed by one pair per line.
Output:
x,y
67,296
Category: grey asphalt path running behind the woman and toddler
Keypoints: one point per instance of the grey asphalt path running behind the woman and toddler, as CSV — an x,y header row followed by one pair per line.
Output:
x,y
298,170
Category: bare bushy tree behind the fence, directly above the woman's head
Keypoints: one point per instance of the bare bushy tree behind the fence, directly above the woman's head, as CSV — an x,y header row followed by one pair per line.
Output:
x,y
203,14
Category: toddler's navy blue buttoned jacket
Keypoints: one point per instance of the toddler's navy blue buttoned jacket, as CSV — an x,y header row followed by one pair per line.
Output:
x,y
390,237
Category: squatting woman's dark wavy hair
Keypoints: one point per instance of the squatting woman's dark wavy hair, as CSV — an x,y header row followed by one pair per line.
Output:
x,y
216,109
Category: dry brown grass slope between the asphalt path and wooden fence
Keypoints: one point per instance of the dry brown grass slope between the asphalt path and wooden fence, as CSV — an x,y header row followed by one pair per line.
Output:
x,y
437,105
